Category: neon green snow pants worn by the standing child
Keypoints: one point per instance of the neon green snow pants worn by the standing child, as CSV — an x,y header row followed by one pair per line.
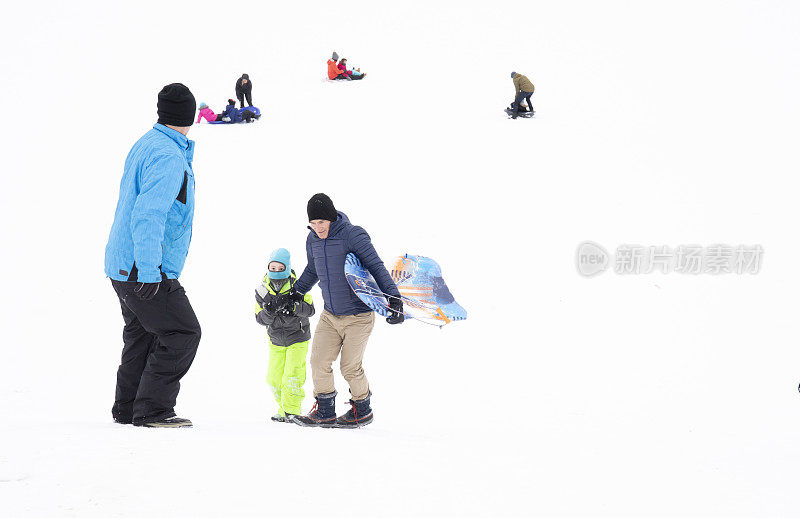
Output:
x,y
287,374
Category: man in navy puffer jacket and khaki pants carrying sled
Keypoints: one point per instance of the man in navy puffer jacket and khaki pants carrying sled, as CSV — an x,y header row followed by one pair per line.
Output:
x,y
346,322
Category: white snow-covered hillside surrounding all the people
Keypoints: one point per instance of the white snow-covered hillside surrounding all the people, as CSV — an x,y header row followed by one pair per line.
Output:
x,y
617,396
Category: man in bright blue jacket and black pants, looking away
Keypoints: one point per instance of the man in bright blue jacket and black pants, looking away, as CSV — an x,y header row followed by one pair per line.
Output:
x,y
145,254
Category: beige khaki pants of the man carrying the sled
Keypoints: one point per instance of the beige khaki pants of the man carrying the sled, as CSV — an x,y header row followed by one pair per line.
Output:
x,y
346,334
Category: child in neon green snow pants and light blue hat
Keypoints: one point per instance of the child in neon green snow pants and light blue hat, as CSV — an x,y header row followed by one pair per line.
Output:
x,y
289,331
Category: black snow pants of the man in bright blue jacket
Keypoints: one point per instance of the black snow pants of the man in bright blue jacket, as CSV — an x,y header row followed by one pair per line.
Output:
x,y
160,340
